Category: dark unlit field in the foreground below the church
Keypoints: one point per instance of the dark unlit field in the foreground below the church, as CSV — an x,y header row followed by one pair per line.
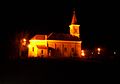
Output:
x,y
54,71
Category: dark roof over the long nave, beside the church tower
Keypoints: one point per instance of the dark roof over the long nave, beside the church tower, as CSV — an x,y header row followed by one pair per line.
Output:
x,y
62,36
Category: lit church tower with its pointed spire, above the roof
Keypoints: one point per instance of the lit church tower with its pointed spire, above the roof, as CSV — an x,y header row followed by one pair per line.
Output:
x,y
74,27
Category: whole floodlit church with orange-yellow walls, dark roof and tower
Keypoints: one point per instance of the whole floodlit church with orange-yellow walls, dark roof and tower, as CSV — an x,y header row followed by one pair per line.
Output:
x,y
57,44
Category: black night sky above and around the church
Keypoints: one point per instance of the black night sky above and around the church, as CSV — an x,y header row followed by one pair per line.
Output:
x,y
99,20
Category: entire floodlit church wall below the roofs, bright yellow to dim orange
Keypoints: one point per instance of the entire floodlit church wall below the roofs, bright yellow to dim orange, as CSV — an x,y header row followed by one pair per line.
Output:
x,y
61,48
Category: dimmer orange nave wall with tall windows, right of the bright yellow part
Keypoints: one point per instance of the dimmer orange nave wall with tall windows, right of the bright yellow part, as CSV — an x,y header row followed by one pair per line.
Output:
x,y
64,48
